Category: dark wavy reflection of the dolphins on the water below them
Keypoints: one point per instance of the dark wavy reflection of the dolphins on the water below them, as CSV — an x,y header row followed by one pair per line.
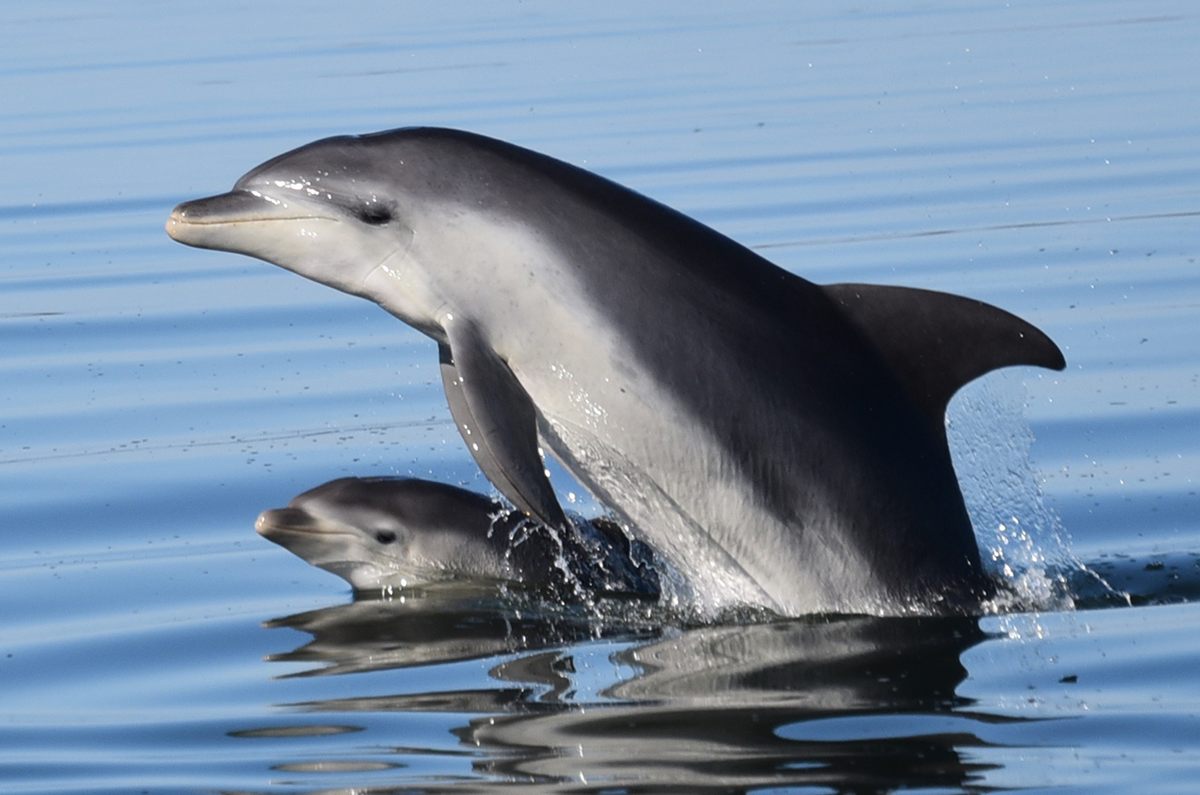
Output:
x,y
860,704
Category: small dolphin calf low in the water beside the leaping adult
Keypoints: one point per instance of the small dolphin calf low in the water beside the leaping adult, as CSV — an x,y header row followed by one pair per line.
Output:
x,y
386,533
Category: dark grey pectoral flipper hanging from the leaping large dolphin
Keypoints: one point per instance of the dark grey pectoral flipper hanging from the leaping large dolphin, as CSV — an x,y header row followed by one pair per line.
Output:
x,y
497,421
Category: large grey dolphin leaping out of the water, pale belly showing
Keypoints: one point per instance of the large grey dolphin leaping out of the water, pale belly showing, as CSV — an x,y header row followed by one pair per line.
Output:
x,y
781,443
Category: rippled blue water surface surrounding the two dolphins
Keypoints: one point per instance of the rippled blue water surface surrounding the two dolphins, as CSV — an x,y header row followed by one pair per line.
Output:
x,y
1042,157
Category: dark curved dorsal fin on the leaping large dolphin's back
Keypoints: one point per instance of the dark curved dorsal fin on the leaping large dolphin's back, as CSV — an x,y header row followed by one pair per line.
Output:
x,y
937,343
